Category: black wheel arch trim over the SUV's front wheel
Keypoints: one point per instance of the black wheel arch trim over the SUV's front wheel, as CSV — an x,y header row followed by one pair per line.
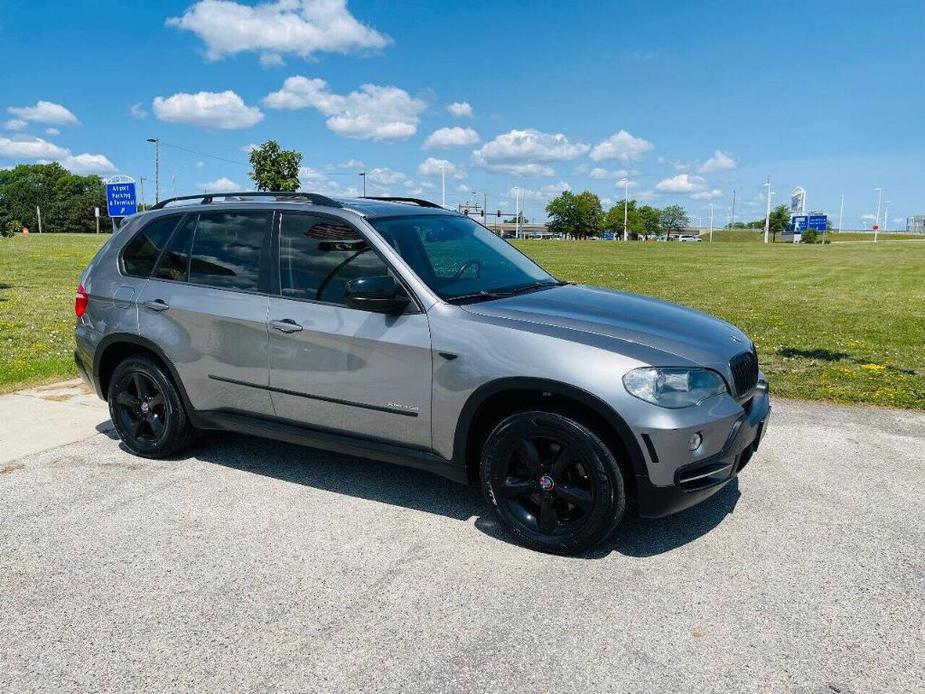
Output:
x,y
496,399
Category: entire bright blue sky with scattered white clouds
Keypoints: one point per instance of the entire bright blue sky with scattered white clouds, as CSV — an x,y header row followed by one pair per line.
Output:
x,y
685,101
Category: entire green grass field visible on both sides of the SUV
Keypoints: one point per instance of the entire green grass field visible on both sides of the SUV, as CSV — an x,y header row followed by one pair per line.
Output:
x,y
839,322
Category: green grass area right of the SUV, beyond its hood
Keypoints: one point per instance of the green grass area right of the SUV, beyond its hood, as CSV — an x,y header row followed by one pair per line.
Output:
x,y
839,322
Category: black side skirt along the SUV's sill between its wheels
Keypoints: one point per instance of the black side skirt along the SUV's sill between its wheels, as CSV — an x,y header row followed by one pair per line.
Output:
x,y
330,441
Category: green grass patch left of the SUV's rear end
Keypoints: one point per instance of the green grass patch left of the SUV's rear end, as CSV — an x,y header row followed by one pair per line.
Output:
x,y
38,276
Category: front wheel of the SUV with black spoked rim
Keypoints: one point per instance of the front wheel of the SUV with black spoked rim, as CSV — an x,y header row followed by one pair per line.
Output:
x,y
552,482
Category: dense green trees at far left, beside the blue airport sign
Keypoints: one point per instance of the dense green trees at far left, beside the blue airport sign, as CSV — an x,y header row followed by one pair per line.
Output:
x,y
67,201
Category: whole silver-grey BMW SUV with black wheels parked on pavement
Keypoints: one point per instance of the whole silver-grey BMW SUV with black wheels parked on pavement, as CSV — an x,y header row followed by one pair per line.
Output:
x,y
397,330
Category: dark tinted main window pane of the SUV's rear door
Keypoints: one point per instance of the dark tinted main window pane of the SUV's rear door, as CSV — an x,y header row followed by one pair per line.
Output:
x,y
227,247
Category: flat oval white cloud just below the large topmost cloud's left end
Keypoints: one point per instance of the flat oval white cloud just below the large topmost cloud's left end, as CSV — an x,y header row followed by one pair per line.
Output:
x,y
222,110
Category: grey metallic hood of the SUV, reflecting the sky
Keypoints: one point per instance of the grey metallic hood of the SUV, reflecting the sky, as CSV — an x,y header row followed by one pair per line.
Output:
x,y
687,333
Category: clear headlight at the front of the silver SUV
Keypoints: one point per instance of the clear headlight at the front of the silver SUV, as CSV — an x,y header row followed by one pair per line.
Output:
x,y
674,387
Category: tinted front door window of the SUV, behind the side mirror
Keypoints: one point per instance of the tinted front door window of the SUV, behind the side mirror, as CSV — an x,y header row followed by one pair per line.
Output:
x,y
319,256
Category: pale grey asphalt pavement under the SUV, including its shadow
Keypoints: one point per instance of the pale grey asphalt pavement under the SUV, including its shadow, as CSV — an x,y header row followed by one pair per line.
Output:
x,y
250,565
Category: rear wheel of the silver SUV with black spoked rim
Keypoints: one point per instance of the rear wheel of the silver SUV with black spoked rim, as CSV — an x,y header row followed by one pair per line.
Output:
x,y
146,409
